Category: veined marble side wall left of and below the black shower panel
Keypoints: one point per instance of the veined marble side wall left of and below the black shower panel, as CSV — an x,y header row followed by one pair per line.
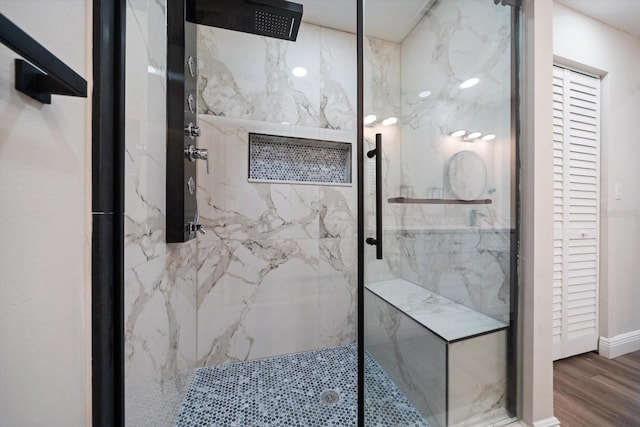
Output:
x,y
160,279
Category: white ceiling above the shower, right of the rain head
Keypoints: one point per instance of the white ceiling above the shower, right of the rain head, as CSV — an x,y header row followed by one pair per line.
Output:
x,y
341,15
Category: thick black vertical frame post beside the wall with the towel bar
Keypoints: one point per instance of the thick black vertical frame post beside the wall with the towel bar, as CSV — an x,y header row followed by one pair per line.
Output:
x,y
107,251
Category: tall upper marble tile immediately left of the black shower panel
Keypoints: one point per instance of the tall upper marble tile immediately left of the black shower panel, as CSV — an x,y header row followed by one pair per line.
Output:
x,y
145,130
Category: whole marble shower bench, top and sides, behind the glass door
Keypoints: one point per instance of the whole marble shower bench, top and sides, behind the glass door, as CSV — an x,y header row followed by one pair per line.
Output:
x,y
448,359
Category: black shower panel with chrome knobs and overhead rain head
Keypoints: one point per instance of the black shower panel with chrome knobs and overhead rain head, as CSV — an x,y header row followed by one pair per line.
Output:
x,y
271,18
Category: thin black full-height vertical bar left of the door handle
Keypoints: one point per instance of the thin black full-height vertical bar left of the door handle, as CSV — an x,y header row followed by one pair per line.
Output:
x,y
360,215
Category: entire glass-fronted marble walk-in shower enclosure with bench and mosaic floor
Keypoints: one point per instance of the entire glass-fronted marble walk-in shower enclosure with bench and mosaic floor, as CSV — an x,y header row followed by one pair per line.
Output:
x,y
430,216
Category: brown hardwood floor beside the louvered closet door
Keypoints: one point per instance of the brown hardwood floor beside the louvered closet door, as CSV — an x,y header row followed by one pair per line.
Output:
x,y
592,391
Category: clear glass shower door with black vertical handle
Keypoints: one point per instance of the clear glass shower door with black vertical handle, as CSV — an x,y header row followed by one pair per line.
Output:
x,y
439,212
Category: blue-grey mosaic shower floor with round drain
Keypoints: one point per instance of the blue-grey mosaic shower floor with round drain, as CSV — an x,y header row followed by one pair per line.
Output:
x,y
286,391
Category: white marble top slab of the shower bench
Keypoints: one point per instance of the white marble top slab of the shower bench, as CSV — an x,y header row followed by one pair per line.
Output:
x,y
449,320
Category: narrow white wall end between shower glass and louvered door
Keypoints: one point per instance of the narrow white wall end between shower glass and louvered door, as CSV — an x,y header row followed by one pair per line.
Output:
x,y
536,246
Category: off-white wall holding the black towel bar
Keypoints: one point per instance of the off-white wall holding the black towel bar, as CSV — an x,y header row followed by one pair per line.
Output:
x,y
45,229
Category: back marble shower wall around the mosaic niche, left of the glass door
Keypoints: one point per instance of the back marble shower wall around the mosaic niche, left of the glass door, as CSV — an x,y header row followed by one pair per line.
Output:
x,y
277,271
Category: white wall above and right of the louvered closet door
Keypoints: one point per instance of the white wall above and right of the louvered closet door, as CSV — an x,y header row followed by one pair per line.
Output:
x,y
586,42
